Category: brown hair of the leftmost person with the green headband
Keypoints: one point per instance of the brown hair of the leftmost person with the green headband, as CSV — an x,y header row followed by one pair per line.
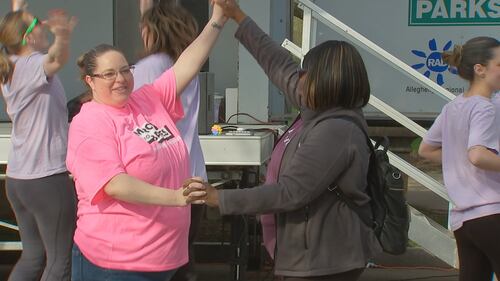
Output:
x,y
12,28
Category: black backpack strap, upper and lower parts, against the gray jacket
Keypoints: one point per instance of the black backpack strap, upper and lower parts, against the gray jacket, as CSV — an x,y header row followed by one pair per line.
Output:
x,y
368,220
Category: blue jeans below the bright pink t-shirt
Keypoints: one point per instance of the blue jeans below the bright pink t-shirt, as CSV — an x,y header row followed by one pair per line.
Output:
x,y
83,270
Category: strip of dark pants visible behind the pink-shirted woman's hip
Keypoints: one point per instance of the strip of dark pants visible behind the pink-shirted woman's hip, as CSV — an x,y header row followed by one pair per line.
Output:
x,y
187,272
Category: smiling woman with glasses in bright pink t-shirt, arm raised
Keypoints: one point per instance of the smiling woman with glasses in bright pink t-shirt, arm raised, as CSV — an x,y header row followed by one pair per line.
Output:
x,y
129,163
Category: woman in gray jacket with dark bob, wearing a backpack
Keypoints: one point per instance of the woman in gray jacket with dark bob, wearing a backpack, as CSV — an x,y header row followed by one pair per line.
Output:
x,y
318,236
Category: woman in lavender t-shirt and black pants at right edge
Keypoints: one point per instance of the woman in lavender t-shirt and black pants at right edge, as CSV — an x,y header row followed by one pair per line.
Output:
x,y
465,138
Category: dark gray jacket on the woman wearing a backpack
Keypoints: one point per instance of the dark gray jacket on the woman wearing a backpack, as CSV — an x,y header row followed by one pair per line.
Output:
x,y
316,233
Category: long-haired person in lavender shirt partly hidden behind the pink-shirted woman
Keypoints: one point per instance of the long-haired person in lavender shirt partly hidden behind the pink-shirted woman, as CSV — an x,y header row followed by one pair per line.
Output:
x,y
167,29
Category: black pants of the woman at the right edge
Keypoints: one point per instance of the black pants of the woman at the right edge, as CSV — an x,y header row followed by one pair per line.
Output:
x,y
478,248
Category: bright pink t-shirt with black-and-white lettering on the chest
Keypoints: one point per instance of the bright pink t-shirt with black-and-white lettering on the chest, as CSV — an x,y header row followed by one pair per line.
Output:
x,y
140,139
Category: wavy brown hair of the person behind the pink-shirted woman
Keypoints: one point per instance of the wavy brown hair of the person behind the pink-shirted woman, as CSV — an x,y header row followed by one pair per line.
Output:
x,y
172,29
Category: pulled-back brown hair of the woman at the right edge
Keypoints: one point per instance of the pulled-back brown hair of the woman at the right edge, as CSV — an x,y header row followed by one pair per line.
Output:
x,y
478,50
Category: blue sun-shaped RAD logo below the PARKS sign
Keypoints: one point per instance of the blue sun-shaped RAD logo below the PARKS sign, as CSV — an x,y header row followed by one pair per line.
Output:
x,y
432,62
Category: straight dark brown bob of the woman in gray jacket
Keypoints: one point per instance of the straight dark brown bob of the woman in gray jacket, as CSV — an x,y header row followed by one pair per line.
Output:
x,y
336,76
